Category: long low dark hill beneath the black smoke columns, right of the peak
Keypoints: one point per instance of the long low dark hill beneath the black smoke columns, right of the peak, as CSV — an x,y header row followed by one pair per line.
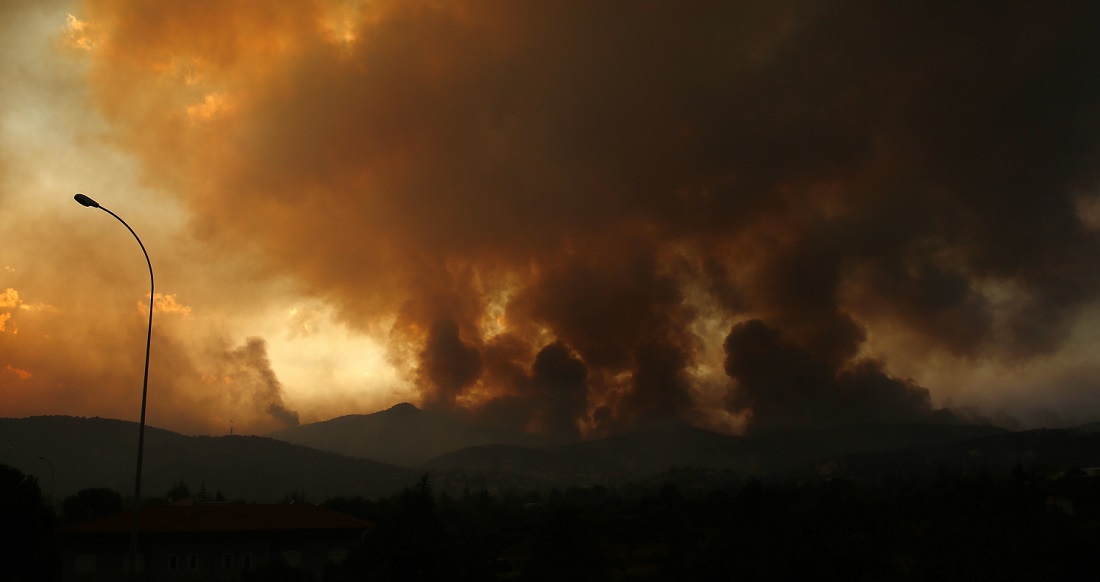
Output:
x,y
643,455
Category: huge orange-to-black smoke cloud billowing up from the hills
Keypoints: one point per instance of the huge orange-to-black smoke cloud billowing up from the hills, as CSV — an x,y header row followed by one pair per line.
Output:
x,y
554,202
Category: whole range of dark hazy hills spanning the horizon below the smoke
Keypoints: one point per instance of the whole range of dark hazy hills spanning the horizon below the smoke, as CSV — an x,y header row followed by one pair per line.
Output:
x,y
98,453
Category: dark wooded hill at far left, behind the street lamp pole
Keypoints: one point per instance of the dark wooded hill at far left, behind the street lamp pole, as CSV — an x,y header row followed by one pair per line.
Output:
x,y
101,453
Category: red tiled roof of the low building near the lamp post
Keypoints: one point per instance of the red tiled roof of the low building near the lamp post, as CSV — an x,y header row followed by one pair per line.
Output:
x,y
222,518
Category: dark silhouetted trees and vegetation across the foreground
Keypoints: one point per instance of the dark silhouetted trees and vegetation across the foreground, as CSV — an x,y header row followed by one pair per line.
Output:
x,y
944,523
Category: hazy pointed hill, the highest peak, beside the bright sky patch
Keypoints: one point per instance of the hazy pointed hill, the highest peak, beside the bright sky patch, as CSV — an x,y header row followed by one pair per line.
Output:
x,y
403,435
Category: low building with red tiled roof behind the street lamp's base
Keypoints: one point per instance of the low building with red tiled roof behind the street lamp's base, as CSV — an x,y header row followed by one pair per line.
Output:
x,y
210,542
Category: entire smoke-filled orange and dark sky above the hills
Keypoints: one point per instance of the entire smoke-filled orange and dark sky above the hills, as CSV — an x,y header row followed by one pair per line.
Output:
x,y
568,218
